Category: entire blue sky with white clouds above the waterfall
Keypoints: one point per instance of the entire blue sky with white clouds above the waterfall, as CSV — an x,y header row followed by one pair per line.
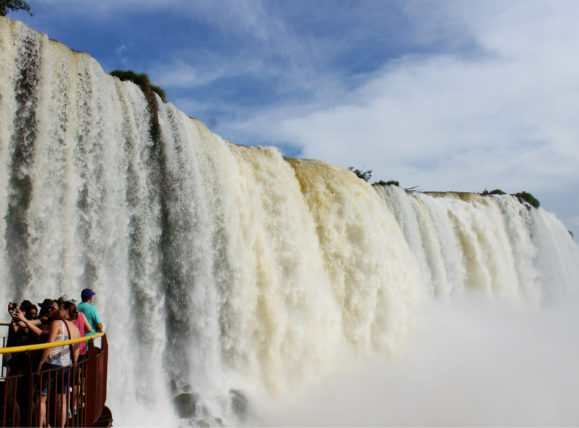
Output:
x,y
444,95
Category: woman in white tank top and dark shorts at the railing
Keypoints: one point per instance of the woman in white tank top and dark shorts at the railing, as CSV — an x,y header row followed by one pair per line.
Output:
x,y
58,360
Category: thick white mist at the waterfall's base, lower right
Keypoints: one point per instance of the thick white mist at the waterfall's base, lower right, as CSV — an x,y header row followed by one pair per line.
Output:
x,y
472,362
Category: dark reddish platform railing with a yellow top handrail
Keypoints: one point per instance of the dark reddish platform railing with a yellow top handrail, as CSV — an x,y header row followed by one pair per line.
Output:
x,y
67,396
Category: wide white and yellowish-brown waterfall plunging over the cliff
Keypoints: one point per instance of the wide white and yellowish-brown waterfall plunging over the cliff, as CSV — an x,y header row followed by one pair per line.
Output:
x,y
225,274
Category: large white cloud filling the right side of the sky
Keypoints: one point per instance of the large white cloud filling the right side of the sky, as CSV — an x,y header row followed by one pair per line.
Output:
x,y
503,115
